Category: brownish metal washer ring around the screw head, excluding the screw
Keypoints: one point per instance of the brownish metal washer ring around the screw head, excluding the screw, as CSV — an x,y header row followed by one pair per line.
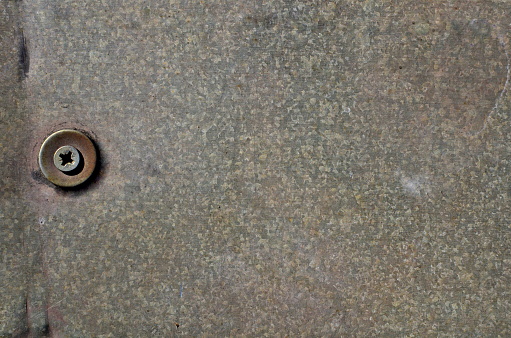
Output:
x,y
75,139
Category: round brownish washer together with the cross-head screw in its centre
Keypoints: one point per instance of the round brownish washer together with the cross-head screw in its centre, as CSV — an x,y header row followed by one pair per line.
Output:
x,y
73,168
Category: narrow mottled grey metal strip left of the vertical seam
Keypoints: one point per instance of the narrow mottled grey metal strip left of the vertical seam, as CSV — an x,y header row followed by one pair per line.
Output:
x,y
13,216
